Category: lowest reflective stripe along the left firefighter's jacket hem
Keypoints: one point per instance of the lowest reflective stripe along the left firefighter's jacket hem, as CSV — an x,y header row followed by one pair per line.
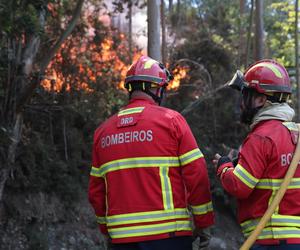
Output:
x,y
149,229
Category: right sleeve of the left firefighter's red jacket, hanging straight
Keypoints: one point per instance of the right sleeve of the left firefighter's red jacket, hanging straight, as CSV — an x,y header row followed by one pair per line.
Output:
x,y
194,173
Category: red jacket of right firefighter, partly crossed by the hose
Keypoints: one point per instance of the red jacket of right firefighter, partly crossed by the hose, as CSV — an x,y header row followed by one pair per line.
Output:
x,y
263,161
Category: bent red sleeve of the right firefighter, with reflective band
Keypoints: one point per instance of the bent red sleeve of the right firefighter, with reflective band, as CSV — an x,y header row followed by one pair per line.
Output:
x,y
253,160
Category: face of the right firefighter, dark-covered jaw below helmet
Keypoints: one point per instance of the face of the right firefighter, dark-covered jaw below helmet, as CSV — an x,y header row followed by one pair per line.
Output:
x,y
250,104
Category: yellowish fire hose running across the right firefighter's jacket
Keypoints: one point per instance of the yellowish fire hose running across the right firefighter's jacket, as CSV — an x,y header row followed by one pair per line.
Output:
x,y
278,197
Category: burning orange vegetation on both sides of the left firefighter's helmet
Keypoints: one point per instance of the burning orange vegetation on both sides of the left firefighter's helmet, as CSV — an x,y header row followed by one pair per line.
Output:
x,y
100,58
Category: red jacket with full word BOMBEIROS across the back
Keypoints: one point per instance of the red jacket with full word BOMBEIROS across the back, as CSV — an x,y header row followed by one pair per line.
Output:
x,y
146,170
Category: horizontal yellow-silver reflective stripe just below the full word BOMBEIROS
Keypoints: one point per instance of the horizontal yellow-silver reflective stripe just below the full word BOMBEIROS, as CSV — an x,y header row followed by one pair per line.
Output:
x,y
140,162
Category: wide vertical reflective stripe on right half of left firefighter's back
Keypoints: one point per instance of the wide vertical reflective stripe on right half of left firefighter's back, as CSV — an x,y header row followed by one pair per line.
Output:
x,y
166,188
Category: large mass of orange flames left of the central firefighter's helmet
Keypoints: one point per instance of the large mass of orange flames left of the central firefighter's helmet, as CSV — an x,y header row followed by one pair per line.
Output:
x,y
102,61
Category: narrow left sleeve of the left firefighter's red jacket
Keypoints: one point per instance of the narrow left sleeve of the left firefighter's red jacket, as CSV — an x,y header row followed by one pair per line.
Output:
x,y
97,191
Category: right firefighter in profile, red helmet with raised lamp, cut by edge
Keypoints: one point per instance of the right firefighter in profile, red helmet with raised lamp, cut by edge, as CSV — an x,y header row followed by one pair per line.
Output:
x,y
265,156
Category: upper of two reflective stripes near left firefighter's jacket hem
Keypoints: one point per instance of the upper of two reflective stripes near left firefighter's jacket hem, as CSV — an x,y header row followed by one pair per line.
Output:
x,y
151,216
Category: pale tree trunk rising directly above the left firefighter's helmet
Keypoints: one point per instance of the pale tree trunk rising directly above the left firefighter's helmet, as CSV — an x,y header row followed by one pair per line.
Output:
x,y
154,29
